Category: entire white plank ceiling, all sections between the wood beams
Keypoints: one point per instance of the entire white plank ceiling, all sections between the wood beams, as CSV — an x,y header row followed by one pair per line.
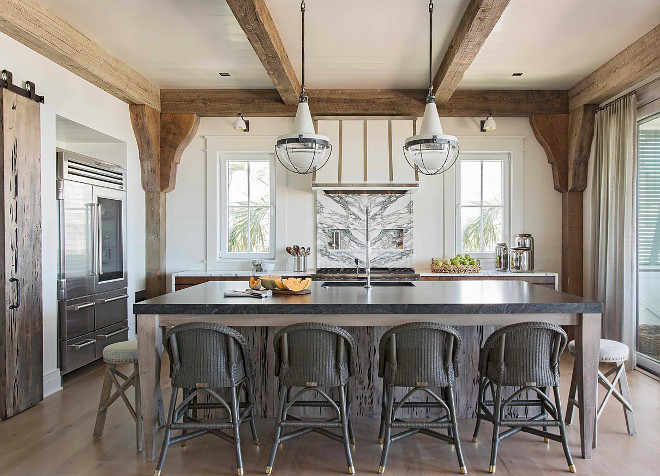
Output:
x,y
361,43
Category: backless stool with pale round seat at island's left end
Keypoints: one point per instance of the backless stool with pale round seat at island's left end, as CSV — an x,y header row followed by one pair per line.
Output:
x,y
122,353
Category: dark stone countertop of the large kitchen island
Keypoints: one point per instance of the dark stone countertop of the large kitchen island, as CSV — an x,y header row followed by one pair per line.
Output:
x,y
426,297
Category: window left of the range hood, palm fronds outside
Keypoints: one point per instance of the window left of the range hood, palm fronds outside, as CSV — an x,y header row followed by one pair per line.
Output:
x,y
248,211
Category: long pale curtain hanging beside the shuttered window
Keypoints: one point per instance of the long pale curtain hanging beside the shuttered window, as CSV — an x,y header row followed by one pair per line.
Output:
x,y
612,261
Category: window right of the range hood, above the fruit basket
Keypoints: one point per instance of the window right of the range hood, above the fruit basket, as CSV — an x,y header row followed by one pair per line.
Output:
x,y
482,211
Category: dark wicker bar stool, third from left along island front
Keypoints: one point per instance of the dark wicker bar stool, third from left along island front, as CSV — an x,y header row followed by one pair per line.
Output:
x,y
421,355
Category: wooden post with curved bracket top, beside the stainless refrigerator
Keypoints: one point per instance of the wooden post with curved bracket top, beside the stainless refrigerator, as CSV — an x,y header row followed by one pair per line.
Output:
x,y
161,140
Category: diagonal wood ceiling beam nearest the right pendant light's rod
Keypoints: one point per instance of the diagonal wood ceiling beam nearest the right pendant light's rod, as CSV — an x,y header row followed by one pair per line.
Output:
x,y
477,22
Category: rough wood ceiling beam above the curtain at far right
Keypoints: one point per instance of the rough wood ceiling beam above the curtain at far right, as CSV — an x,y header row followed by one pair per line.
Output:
x,y
636,63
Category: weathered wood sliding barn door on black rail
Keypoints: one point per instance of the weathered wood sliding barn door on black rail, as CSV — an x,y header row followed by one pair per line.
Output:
x,y
21,313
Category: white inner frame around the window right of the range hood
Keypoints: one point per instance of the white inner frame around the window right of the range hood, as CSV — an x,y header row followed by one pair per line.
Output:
x,y
506,195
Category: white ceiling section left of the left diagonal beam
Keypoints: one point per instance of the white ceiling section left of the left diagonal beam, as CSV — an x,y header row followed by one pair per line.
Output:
x,y
174,43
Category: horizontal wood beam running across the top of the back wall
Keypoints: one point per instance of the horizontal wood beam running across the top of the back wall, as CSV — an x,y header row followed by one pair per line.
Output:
x,y
362,102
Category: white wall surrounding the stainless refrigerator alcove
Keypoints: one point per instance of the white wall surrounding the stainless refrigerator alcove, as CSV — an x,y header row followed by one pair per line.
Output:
x,y
71,97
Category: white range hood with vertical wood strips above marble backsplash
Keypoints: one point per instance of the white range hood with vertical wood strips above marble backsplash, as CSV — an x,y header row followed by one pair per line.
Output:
x,y
367,155
